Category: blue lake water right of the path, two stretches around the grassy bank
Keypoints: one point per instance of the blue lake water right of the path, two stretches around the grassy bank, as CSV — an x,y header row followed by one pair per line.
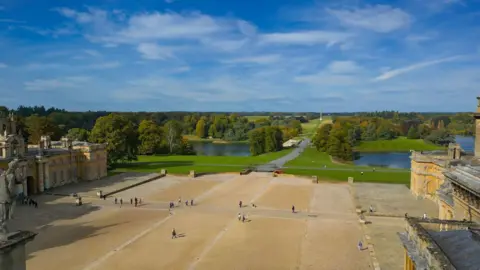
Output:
x,y
402,160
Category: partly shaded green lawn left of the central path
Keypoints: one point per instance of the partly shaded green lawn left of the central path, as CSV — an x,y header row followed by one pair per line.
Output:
x,y
201,164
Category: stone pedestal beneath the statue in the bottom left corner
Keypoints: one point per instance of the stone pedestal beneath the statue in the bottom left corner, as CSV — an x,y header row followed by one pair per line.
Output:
x,y
12,250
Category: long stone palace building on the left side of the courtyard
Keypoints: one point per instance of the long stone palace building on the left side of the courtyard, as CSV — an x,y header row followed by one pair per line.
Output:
x,y
51,163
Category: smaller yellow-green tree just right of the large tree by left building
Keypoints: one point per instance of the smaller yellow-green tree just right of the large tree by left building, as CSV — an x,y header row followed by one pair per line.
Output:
x,y
151,137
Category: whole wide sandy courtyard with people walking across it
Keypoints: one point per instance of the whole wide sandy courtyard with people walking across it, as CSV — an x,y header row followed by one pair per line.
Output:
x,y
101,235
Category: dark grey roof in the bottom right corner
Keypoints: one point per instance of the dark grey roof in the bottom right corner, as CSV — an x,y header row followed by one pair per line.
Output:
x,y
462,247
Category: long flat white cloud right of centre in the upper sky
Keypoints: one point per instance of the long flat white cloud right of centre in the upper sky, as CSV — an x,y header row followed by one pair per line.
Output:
x,y
306,38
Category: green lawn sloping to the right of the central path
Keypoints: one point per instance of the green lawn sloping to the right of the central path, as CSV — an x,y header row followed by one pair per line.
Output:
x,y
311,160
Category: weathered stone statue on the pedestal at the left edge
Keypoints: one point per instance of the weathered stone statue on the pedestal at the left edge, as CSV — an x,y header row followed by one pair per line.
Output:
x,y
8,180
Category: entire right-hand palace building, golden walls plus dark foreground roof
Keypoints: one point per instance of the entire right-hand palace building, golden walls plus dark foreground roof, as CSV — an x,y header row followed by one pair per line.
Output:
x,y
452,180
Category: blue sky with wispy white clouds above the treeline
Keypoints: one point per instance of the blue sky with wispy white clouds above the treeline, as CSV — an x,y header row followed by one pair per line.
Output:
x,y
262,55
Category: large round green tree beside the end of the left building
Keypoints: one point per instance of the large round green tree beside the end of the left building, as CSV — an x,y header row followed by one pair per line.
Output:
x,y
119,134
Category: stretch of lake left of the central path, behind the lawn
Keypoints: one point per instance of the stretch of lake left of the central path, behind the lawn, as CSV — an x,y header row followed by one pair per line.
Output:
x,y
221,149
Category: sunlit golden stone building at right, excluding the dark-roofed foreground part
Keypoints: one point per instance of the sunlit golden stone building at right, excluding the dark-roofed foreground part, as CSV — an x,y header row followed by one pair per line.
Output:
x,y
450,178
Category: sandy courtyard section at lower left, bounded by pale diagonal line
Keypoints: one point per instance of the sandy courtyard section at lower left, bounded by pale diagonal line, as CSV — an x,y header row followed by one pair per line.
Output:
x,y
72,244
